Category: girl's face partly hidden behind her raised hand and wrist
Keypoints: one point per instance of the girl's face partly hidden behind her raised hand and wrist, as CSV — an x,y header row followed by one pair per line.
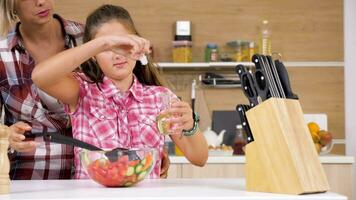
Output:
x,y
114,66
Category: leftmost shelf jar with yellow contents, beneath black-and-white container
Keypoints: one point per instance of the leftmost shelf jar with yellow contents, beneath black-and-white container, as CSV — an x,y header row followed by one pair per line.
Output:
x,y
182,51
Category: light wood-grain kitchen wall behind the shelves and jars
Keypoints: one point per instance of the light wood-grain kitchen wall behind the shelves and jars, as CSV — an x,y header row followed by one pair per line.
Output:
x,y
302,30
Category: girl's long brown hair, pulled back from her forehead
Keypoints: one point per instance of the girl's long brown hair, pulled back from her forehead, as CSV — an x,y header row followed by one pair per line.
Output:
x,y
147,74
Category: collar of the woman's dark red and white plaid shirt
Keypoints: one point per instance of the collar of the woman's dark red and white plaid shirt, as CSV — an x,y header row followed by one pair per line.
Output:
x,y
14,37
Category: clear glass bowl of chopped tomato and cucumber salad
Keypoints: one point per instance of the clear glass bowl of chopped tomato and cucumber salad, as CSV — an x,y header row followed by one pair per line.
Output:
x,y
122,169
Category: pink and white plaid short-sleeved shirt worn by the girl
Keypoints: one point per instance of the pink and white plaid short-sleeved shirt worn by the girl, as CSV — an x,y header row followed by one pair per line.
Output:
x,y
109,118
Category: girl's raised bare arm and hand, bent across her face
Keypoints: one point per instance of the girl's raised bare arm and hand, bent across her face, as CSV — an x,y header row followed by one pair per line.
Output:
x,y
54,74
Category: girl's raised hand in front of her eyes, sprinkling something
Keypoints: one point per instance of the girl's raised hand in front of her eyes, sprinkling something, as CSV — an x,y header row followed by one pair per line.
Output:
x,y
127,45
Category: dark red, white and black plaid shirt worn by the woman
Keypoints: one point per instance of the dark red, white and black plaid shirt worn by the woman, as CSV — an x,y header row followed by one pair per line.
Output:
x,y
23,101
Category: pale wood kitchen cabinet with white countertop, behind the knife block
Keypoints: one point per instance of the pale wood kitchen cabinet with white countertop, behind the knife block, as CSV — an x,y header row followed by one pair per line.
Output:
x,y
338,170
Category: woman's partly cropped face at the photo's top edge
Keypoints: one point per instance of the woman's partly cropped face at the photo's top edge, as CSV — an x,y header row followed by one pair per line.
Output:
x,y
34,11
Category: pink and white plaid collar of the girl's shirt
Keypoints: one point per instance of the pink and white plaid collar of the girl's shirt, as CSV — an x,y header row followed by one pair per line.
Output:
x,y
109,89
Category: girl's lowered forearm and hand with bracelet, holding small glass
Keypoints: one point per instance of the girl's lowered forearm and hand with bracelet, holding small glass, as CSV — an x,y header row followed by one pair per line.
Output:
x,y
195,147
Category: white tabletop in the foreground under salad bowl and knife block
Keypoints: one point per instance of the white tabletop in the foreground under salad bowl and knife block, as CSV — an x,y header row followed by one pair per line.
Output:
x,y
155,189
